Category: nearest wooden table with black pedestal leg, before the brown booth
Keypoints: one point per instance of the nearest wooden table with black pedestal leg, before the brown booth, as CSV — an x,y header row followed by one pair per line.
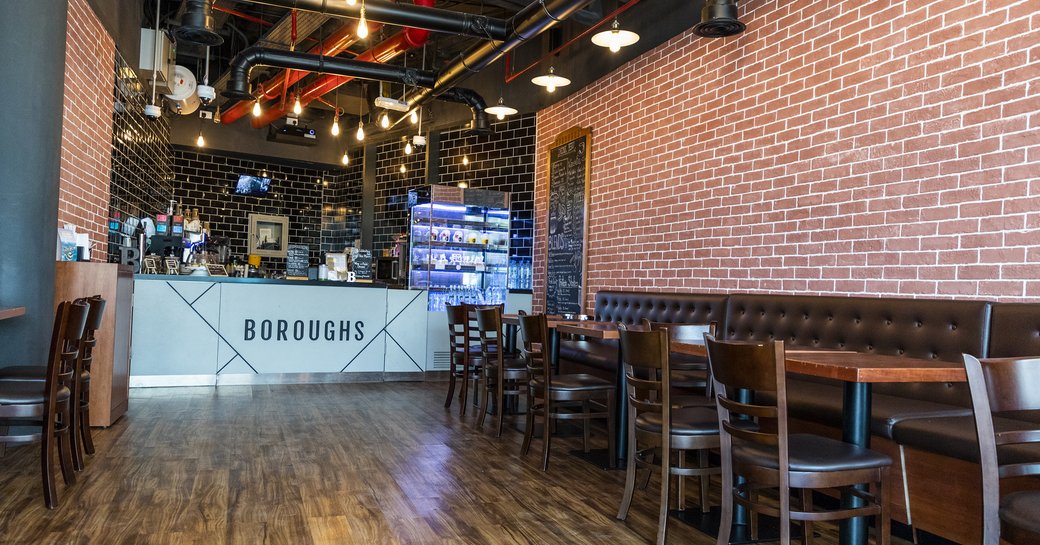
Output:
x,y
857,372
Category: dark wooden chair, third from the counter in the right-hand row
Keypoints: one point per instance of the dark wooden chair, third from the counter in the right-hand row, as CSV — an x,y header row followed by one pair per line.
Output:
x,y
548,394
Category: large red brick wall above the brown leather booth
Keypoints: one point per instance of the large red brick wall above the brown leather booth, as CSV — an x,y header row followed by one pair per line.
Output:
x,y
883,148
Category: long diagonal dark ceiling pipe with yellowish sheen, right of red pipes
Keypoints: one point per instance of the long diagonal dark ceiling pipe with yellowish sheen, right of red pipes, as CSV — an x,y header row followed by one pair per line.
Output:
x,y
530,22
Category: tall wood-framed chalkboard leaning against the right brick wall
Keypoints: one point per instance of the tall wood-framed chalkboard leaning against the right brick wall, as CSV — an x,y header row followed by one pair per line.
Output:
x,y
568,204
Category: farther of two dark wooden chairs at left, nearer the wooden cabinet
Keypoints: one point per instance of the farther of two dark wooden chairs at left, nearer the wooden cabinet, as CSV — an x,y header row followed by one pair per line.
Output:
x,y
81,419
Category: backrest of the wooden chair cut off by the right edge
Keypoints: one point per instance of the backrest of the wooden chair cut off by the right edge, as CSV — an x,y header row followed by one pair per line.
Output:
x,y
1002,385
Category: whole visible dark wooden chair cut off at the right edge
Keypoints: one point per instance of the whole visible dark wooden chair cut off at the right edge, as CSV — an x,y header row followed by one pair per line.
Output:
x,y
1006,385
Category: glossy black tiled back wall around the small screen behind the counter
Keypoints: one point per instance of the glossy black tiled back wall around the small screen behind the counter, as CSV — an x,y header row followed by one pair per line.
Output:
x,y
206,181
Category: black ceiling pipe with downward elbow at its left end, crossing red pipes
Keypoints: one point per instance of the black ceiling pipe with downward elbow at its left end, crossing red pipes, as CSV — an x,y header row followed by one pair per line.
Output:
x,y
239,84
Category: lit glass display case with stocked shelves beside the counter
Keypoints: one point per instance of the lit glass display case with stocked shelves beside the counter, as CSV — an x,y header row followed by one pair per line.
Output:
x,y
460,252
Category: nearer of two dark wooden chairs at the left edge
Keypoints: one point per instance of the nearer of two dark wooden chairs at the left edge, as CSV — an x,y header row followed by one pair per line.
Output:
x,y
48,404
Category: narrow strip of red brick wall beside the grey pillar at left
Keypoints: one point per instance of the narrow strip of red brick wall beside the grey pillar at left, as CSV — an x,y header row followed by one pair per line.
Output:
x,y
87,139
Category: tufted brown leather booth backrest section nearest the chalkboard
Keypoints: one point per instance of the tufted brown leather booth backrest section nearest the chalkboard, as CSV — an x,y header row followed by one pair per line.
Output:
x,y
673,308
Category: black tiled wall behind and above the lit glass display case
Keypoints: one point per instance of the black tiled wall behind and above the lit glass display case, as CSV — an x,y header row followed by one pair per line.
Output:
x,y
503,162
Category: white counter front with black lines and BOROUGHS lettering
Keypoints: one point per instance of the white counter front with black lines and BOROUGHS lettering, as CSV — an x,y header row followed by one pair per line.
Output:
x,y
206,331
